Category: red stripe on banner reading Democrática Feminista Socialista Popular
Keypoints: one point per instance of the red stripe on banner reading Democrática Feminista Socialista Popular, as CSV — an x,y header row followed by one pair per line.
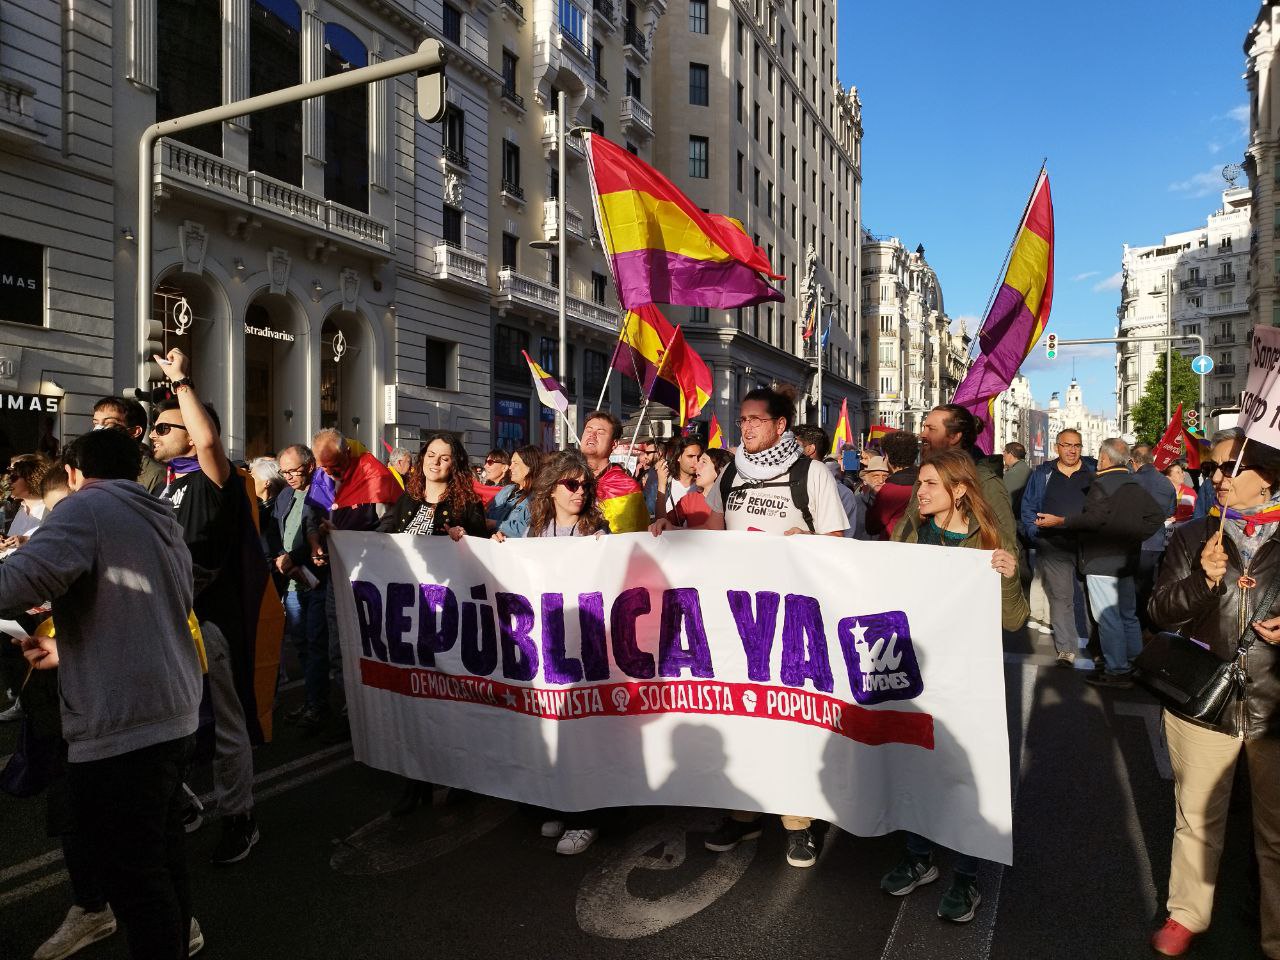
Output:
x,y
705,697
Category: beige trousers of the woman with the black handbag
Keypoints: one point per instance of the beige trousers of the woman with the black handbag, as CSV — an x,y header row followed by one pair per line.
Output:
x,y
1204,766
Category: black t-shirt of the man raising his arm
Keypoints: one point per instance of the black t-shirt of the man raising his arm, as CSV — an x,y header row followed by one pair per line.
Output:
x,y
212,522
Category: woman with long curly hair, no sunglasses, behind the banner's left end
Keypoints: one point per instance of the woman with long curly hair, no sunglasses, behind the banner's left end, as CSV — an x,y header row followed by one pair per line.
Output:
x,y
440,497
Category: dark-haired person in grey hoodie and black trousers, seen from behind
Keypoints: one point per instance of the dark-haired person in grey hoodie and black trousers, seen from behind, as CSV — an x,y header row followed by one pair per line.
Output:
x,y
113,563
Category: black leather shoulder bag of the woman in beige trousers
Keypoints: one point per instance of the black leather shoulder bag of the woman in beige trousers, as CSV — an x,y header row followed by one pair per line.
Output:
x,y
1191,680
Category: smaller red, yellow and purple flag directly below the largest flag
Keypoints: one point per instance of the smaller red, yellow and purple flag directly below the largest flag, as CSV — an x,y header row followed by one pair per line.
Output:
x,y
656,355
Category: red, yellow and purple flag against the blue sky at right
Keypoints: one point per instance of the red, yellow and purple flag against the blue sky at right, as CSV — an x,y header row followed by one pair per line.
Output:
x,y
1018,314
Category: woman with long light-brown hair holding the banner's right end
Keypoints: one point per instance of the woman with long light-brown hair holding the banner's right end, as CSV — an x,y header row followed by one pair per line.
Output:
x,y
952,511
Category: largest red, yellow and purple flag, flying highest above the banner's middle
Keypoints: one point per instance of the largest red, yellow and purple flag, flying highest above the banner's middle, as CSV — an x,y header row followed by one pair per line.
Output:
x,y
664,249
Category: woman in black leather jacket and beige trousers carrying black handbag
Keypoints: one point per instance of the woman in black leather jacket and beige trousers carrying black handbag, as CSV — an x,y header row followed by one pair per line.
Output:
x,y
1220,586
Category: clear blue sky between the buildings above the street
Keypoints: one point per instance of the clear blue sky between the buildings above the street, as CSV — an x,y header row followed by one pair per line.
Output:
x,y
1137,104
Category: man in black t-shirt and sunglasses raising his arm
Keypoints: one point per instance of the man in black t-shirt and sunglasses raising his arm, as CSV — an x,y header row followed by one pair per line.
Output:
x,y
212,506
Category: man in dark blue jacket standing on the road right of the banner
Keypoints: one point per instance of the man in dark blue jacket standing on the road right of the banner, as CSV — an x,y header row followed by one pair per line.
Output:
x,y
1059,488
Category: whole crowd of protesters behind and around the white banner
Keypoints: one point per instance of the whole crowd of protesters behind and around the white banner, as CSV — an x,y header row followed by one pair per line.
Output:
x,y
144,536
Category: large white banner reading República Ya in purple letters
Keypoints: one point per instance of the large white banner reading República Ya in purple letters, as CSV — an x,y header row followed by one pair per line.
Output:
x,y
856,683
